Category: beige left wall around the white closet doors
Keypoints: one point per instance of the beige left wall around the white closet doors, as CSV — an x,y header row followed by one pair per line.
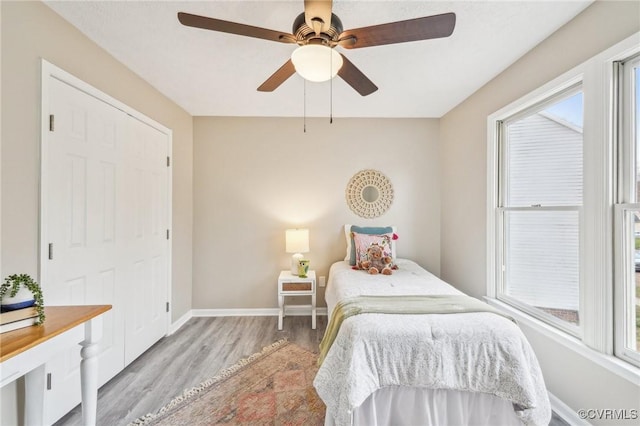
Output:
x,y
30,31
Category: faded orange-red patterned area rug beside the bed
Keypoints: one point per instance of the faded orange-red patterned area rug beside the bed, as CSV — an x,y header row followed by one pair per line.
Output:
x,y
272,387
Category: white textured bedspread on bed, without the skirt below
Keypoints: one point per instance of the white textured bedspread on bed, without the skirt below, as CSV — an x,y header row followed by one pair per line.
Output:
x,y
478,352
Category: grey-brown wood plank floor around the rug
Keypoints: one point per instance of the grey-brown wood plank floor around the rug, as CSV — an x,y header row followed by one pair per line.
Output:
x,y
196,352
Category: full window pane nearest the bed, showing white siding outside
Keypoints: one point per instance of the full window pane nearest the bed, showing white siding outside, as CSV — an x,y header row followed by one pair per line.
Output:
x,y
540,197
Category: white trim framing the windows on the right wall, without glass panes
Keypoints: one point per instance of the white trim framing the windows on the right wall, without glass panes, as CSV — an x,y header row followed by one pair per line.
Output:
x,y
596,243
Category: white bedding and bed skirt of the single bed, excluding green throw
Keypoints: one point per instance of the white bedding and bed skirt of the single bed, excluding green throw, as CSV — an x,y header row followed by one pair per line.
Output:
x,y
474,368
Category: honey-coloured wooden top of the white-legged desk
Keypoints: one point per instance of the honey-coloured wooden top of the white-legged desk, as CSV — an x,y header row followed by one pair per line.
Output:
x,y
58,320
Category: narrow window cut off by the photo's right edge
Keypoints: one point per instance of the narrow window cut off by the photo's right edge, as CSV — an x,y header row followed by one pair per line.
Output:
x,y
627,213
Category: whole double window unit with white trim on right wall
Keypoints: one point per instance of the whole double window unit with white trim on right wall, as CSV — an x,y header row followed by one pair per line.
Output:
x,y
563,208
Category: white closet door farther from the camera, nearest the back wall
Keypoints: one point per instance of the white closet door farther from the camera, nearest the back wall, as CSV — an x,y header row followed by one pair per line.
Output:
x,y
147,241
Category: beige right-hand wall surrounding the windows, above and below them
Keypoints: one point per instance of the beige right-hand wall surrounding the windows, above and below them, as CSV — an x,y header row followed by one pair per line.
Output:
x,y
574,379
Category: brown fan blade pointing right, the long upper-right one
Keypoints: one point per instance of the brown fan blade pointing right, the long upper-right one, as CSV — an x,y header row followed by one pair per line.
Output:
x,y
425,28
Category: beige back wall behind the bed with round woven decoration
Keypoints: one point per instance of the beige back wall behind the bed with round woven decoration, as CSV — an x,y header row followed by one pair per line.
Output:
x,y
255,177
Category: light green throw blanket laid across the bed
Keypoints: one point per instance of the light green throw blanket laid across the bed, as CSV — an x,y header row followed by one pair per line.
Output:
x,y
438,304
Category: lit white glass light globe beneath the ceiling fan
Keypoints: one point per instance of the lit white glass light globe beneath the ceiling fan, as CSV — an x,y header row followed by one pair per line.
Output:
x,y
316,63
